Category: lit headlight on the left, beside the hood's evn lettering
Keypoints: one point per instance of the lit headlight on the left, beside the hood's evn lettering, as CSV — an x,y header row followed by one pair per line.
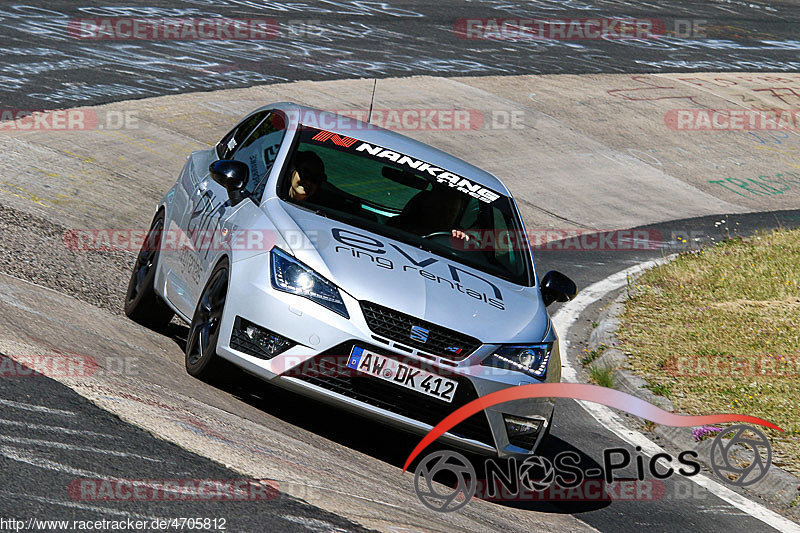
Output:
x,y
290,275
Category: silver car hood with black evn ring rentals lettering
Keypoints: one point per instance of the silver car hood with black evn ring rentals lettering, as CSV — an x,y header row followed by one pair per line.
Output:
x,y
372,267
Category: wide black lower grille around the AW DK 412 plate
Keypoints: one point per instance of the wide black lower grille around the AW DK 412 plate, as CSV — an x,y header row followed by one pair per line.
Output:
x,y
337,377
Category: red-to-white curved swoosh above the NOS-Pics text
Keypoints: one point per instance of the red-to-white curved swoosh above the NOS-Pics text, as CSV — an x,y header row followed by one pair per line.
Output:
x,y
578,391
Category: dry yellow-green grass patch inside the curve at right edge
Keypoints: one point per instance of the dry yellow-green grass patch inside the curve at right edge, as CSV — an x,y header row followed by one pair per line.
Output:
x,y
719,332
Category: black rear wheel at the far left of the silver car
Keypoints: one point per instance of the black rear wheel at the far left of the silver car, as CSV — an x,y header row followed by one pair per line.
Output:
x,y
142,303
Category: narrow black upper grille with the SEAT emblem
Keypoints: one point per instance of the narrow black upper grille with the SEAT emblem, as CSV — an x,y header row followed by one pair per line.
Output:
x,y
442,342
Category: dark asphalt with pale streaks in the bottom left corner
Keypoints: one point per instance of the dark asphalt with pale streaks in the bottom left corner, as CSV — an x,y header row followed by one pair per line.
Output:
x,y
46,426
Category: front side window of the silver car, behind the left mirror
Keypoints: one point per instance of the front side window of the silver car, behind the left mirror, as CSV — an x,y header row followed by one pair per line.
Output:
x,y
259,151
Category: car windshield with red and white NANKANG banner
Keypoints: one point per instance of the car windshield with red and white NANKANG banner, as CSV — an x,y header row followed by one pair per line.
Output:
x,y
406,199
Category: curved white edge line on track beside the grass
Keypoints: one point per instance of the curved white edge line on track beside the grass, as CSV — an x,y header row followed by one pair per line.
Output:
x,y
565,318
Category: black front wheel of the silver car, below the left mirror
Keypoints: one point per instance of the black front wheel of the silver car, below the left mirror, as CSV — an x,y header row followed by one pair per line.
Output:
x,y
202,360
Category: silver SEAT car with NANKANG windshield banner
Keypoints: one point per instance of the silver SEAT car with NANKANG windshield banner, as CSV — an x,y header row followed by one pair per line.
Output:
x,y
359,267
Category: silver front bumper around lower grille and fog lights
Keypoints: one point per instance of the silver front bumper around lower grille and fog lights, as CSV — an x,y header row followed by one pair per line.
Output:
x,y
322,336
